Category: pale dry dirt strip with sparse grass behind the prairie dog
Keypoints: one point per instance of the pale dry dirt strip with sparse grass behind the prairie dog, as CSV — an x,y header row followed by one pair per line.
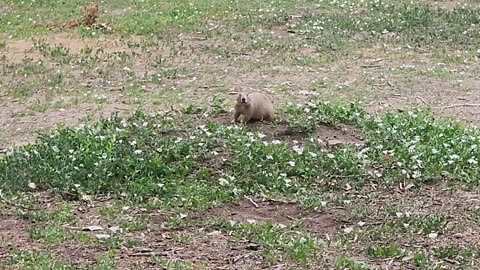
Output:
x,y
383,80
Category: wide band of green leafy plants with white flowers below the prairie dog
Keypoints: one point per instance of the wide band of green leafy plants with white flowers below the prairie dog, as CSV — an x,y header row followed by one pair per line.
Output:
x,y
129,156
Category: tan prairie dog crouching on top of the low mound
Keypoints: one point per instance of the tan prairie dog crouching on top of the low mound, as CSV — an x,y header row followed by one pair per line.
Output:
x,y
253,106
